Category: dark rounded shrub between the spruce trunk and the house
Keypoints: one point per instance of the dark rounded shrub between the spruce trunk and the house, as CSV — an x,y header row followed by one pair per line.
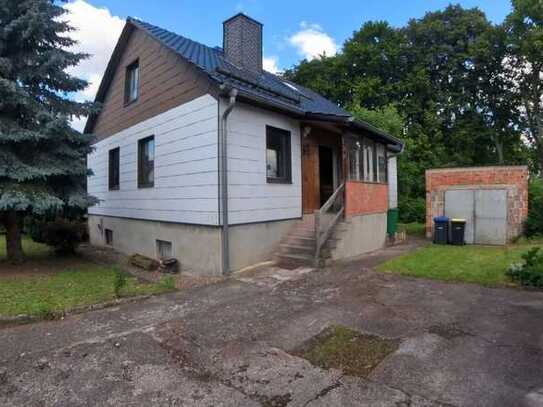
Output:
x,y
61,234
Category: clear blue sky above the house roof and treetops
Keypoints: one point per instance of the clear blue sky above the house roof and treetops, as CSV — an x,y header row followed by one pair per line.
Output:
x,y
201,20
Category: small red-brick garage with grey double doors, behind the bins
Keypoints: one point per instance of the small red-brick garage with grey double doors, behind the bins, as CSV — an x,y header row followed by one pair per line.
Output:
x,y
492,200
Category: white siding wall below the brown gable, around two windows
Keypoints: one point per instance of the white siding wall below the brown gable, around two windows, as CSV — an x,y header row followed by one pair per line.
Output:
x,y
186,167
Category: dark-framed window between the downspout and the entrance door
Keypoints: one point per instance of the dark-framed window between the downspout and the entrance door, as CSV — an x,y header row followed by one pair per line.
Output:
x,y
278,156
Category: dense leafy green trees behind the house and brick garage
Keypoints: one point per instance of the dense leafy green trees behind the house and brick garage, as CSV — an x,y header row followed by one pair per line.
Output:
x,y
445,76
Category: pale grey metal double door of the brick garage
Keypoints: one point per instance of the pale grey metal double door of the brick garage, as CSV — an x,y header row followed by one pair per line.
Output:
x,y
485,211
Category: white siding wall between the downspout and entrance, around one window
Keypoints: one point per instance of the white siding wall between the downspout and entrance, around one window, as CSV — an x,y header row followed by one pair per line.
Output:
x,y
251,198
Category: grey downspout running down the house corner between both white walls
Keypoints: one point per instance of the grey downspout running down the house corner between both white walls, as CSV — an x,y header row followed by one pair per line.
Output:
x,y
224,179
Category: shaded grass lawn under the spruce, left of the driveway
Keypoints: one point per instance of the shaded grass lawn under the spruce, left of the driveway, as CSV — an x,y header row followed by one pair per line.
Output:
x,y
76,282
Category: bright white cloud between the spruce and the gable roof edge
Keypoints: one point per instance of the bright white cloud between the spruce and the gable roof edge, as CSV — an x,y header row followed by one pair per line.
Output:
x,y
97,32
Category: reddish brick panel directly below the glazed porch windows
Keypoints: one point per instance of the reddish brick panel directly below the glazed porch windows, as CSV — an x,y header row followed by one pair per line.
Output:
x,y
365,198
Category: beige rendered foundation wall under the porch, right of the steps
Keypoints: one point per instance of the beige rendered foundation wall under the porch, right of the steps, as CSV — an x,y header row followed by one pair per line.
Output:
x,y
359,234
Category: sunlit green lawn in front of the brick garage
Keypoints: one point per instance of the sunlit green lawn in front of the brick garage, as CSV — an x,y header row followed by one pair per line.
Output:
x,y
473,264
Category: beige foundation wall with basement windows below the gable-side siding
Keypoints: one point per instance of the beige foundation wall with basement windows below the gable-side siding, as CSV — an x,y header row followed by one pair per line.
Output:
x,y
196,247
